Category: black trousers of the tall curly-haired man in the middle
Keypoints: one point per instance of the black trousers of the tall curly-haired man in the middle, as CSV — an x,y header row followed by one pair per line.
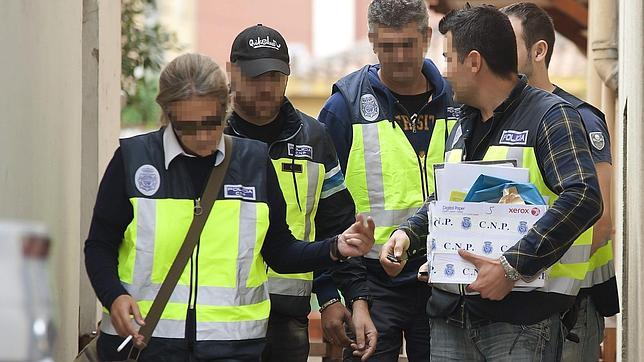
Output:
x,y
399,312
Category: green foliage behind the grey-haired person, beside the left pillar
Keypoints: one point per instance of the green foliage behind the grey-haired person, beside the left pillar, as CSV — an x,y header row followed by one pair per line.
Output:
x,y
143,42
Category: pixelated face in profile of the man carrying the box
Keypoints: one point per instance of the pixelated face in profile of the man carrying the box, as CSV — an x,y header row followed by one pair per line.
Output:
x,y
460,75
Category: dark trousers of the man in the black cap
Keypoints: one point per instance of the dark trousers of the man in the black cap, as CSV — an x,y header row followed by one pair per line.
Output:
x,y
287,339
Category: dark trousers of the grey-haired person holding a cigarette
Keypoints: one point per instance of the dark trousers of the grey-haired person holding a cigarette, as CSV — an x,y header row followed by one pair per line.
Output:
x,y
179,350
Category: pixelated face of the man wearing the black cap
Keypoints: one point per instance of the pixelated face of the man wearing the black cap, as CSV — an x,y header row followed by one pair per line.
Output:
x,y
259,98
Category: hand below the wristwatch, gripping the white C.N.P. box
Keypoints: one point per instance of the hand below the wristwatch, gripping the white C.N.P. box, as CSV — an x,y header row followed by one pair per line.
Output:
x,y
490,282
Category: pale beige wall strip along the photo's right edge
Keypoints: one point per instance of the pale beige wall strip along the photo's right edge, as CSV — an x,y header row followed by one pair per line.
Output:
x,y
630,133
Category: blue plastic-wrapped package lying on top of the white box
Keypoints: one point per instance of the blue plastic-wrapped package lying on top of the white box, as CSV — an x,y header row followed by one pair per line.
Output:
x,y
492,189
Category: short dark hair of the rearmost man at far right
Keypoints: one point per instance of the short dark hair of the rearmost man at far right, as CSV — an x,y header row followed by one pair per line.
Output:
x,y
537,25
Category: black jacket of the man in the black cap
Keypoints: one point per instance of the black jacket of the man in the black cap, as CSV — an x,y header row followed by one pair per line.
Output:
x,y
292,131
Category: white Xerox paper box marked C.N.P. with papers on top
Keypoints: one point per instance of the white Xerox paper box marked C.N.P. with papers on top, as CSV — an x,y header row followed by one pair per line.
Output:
x,y
487,229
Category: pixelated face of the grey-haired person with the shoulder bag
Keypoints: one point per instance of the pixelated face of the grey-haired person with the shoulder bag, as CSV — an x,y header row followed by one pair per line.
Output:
x,y
198,123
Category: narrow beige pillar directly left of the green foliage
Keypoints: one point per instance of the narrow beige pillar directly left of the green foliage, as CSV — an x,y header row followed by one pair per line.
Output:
x,y
101,57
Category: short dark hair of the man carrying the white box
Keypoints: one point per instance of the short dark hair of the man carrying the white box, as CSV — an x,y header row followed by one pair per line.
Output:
x,y
484,29
